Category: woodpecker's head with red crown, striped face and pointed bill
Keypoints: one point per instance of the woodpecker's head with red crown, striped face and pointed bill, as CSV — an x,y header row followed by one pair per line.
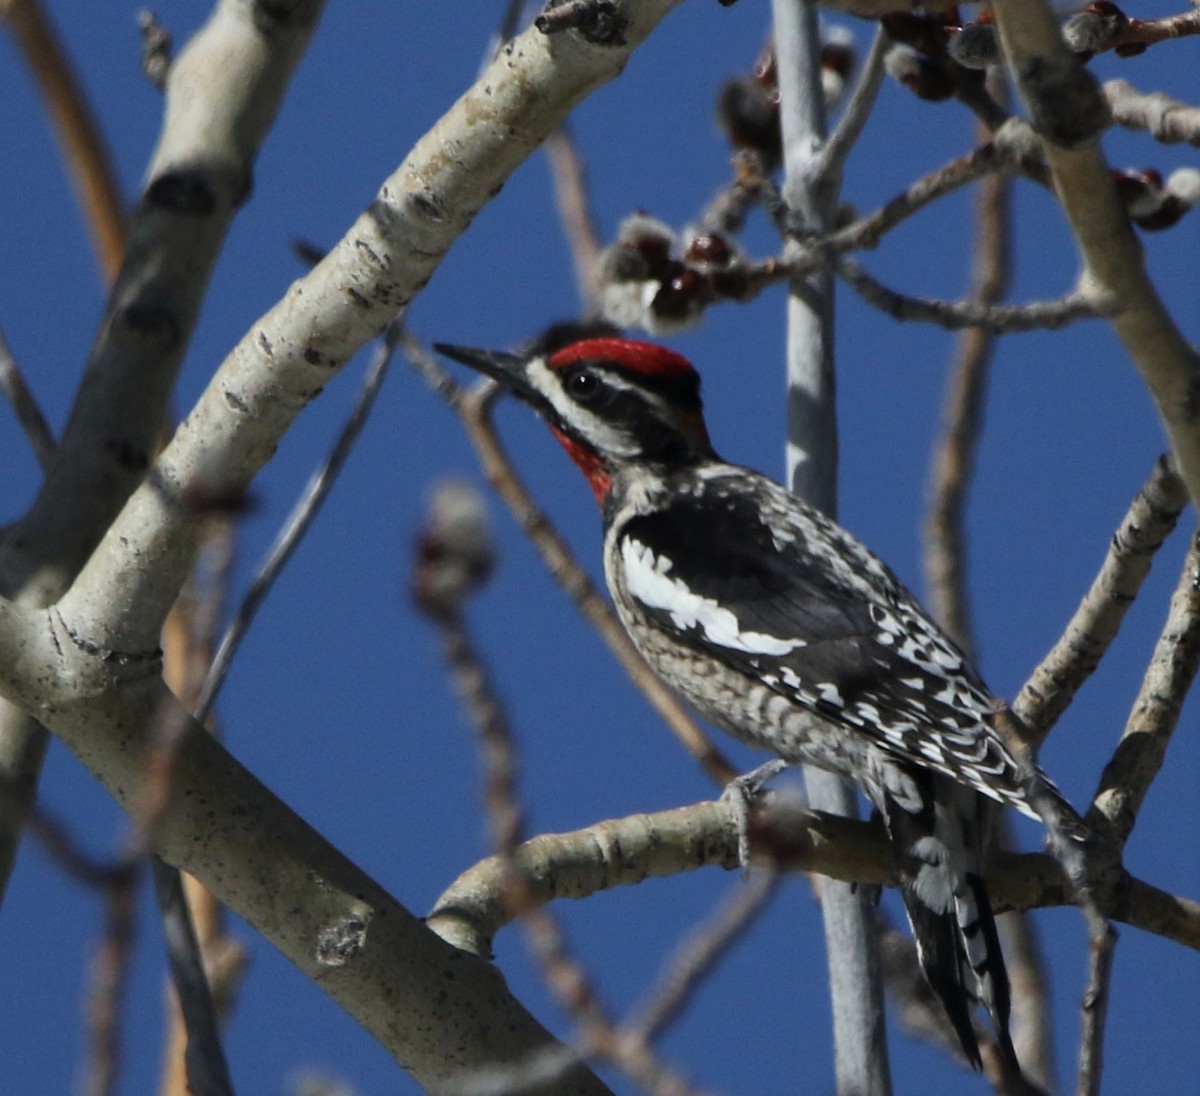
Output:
x,y
613,403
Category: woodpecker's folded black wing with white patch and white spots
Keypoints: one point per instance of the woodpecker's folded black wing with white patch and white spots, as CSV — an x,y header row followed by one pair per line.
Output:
x,y
791,600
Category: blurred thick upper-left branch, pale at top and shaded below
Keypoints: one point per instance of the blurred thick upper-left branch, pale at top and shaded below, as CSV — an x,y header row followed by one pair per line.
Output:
x,y
221,101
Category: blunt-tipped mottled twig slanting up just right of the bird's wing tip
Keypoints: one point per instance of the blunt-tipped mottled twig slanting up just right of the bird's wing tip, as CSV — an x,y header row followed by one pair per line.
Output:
x,y
1088,636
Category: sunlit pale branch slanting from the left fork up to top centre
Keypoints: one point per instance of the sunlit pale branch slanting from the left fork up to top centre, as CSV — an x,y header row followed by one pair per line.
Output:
x,y
373,273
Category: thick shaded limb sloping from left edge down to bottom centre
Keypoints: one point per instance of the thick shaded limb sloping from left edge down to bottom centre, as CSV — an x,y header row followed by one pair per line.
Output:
x,y
440,1013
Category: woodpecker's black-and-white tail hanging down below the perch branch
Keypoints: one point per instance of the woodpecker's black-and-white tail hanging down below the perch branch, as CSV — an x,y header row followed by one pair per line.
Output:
x,y
950,911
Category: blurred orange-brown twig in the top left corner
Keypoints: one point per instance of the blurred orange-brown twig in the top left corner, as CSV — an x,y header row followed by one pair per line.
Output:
x,y
83,148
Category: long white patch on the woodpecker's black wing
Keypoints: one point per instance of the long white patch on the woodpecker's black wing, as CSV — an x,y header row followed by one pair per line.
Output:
x,y
649,579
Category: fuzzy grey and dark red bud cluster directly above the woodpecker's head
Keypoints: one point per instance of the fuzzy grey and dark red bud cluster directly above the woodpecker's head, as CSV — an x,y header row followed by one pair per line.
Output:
x,y
662,285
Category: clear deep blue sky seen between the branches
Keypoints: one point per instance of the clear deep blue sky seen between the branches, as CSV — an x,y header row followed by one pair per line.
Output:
x,y
339,702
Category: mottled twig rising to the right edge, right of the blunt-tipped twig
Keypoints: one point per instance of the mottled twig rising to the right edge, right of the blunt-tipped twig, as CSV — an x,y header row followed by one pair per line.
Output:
x,y
1148,733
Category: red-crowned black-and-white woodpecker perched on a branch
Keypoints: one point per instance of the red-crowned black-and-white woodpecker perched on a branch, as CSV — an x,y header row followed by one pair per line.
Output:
x,y
782,628
